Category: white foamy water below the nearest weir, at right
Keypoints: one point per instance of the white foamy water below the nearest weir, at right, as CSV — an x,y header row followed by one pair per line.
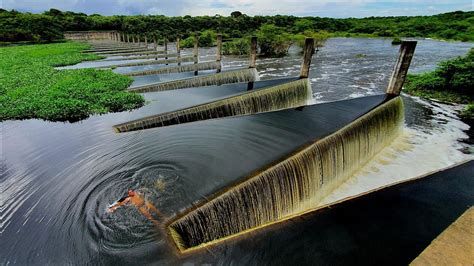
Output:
x,y
414,153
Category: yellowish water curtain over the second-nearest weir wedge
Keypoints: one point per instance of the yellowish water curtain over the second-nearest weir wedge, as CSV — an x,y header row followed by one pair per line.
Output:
x,y
286,95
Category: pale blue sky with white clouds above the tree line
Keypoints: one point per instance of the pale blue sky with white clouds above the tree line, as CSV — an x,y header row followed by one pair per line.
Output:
x,y
321,8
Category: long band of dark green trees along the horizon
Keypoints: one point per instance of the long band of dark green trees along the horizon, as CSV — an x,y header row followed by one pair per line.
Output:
x,y
16,26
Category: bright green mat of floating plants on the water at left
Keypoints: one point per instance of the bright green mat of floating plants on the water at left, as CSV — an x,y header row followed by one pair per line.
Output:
x,y
30,87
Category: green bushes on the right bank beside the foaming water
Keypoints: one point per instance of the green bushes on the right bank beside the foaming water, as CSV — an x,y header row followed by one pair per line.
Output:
x,y
451,81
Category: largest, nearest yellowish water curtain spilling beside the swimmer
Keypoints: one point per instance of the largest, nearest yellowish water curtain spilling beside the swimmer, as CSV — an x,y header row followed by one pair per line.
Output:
x,y
298,181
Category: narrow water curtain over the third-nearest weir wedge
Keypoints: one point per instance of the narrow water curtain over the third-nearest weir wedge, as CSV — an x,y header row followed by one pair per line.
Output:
x,y
225,77
